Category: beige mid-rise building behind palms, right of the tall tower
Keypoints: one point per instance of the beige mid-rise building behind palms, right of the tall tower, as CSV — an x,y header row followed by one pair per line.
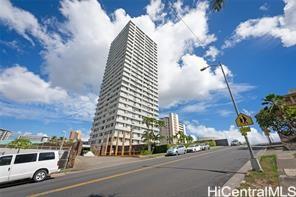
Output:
x,y
171,128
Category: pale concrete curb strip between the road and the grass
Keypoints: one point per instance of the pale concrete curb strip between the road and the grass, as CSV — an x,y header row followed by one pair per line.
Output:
x,y
238,177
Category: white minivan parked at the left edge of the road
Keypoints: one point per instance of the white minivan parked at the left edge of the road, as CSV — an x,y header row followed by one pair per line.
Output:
x,y
34,165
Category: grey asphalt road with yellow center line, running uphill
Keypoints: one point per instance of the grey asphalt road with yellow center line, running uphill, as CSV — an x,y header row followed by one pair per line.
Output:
x,y
176,176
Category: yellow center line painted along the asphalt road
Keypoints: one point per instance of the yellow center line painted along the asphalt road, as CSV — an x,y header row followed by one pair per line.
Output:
x,y
117,175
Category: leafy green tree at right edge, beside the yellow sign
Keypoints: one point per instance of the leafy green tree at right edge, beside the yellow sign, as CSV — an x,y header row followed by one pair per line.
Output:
x,y
277,116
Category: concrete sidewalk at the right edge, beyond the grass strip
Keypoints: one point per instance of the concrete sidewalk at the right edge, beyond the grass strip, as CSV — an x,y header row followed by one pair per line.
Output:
x,y
286,162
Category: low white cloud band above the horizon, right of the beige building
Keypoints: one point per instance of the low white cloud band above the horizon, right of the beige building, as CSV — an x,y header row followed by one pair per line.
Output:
x,y
255,137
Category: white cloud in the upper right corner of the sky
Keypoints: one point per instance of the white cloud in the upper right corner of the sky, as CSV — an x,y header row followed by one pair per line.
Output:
x,y
282,27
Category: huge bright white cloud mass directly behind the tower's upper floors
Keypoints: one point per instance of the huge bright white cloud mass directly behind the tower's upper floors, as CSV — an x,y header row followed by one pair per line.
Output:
x,y
90,32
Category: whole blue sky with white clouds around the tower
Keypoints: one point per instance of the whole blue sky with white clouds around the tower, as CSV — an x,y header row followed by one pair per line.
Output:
x,y
53,55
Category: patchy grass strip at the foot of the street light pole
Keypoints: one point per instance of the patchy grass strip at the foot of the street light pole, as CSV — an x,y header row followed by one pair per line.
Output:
x,y
263,179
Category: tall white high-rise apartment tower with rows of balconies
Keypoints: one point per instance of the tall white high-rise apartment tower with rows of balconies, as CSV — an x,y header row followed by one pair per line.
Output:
x,y
128,93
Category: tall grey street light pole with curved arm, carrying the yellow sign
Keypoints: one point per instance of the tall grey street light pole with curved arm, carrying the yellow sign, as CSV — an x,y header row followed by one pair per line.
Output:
x,y
254,162
